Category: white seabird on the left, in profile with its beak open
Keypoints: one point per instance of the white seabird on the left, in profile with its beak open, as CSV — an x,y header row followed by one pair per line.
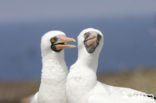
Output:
x,y
54,69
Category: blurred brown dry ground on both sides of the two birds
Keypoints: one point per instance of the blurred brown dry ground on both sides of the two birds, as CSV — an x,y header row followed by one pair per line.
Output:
x,y
143,80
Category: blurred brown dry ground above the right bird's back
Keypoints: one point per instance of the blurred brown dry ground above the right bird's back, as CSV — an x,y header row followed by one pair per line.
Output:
x,y
141,80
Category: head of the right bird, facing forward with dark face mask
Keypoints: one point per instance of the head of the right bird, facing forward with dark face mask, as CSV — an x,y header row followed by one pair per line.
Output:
x,y
91,39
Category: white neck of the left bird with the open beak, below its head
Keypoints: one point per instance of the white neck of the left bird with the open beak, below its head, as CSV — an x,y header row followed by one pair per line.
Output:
x,y
53,79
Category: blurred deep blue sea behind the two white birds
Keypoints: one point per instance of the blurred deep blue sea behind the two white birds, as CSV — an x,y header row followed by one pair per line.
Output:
x,y
129,43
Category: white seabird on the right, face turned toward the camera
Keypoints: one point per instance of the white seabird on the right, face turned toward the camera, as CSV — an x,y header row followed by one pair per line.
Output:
x,y
82,85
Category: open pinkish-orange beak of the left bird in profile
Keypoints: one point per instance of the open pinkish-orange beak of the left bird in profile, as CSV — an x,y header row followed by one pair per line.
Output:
x,y
62,42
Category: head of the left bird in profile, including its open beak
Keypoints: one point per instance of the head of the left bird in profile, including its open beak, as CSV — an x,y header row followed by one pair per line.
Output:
x,y
55,42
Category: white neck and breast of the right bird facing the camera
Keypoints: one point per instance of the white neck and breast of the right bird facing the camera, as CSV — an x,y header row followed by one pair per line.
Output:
x,y
82,77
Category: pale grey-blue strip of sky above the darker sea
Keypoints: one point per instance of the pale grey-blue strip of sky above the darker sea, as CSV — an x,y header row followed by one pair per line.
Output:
x,y
19,10
